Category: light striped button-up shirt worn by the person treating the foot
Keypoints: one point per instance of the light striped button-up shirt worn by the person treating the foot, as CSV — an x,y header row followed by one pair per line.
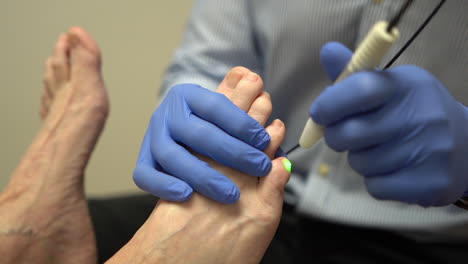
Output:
x,y
281,41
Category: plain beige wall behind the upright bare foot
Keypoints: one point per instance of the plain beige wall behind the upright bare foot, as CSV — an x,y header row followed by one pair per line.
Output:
x,y
137,39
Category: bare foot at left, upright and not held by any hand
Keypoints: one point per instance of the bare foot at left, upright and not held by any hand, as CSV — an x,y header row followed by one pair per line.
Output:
x,y
43,212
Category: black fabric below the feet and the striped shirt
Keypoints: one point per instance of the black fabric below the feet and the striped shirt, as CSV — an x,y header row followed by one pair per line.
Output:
x,y
298,239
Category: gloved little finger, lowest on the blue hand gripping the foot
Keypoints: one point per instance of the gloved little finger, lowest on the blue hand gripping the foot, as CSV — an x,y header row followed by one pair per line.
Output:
x,y
161,184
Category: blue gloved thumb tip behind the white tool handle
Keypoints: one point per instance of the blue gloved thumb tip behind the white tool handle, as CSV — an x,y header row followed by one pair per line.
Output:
x,y
334,57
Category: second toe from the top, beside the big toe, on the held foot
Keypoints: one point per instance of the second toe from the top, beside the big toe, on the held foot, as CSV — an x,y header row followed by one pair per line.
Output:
x,y
247,90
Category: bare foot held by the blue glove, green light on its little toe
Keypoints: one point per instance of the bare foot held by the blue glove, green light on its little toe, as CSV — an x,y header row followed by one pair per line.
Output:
x,y
204,231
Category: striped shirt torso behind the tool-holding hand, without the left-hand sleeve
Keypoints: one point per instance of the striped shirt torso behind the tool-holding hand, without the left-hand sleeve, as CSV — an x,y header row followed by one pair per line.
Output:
x,y
289,35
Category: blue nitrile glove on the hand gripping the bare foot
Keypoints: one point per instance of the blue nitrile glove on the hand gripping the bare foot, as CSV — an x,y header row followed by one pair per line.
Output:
x,y
207,123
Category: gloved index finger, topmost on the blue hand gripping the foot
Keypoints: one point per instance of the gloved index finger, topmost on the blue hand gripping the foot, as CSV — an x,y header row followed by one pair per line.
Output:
x,y
216,108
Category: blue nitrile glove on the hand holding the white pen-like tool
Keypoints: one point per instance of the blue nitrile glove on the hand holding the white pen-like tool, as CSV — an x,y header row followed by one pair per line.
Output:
x,y
404,132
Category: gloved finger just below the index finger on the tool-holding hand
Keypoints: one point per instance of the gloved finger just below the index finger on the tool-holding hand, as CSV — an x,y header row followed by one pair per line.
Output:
x,y
362,131
